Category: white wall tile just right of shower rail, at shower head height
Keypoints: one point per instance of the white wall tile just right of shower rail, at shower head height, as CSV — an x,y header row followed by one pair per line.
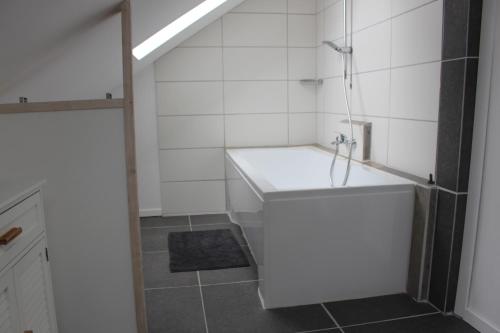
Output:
x,y
372,48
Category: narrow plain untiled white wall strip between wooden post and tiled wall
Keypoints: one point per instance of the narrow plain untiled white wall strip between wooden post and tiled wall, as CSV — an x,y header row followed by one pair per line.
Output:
x,y
148,172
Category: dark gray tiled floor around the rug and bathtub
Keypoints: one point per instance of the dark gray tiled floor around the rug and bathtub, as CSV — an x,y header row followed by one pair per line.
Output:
x,y
227,301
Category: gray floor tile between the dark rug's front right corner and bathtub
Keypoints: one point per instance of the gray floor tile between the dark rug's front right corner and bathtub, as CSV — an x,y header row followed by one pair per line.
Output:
x,y
231,274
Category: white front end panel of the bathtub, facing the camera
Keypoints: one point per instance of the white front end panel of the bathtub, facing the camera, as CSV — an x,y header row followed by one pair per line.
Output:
x,y
337,247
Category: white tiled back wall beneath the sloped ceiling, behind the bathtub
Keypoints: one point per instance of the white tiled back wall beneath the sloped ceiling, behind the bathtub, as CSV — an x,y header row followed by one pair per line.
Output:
x,y
235,83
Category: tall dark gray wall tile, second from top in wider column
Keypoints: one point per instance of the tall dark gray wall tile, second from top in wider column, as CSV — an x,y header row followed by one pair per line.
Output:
x,y
450,120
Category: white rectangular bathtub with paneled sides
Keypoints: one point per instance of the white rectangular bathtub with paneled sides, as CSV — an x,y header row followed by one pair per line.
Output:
x,y
314,243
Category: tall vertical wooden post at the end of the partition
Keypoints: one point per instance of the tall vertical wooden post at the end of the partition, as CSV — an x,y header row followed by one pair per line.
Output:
x,y
132,188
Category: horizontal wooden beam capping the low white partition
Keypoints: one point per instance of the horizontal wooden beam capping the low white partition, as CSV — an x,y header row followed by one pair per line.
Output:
x,y
94,104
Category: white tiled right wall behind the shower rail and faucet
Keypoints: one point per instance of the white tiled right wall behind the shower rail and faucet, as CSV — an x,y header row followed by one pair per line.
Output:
x,y
396,77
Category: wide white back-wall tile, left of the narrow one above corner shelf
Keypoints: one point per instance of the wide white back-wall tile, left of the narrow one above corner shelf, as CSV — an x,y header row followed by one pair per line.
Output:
x,y
255,63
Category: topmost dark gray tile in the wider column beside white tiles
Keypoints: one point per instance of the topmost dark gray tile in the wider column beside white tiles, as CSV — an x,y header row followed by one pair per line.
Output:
x,y
455,28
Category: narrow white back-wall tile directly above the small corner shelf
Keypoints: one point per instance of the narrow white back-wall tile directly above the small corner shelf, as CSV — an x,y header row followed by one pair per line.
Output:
x,y
301,63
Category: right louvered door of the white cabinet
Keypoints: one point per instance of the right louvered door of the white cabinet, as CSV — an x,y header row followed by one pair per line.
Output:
x,y
34,291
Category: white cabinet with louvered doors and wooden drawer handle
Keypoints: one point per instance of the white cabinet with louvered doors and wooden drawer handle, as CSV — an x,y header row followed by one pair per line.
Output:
x,y
26,299
